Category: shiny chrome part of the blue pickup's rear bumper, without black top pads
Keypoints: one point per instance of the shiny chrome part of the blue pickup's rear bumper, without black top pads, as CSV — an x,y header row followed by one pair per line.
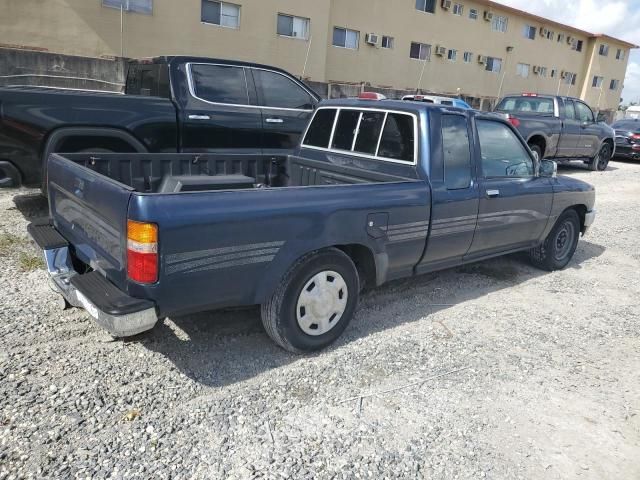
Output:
x,y
61,270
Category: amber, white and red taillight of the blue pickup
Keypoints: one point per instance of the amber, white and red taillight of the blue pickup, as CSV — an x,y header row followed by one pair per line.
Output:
x,y
142,252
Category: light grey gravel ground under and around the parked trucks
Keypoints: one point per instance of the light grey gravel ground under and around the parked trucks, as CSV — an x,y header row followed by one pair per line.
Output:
x,y
494,370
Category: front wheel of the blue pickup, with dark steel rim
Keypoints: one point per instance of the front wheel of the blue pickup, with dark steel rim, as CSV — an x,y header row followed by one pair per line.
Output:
x,y
558,248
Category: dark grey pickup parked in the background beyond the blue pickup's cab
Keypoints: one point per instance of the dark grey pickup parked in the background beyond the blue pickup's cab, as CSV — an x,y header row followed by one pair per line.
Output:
x,y
561,128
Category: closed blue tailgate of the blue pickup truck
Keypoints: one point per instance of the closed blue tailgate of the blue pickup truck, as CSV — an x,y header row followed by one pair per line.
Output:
x,y
90,211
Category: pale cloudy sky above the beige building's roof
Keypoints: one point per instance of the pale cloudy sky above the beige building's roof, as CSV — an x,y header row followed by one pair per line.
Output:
x,y
618,18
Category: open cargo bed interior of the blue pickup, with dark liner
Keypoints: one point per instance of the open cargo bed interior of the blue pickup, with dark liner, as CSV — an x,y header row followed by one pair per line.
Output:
x,y
174,173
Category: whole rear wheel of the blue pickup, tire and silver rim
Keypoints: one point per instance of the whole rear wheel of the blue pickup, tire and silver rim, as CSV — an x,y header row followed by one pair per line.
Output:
x,y
314,302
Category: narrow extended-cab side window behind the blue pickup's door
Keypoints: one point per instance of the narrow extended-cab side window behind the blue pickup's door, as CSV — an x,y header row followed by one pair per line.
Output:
x,y
456,152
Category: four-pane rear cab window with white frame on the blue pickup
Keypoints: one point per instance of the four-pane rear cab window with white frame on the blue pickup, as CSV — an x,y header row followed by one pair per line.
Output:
x,y
379,134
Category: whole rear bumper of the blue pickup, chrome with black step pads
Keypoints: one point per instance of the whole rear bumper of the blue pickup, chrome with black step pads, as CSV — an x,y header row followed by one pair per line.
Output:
x,y
115,311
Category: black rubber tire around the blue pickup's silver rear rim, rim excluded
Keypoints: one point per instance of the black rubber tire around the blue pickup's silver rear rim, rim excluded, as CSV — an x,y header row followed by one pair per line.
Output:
x,y
279,314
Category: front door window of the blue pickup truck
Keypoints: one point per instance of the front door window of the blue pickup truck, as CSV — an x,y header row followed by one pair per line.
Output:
x,y
503,154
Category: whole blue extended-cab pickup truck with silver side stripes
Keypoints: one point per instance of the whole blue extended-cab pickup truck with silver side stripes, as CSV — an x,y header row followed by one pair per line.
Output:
x,y
376,191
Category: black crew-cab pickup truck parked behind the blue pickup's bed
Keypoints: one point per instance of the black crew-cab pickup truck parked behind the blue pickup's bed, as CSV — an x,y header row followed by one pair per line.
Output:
x,y
171,104
